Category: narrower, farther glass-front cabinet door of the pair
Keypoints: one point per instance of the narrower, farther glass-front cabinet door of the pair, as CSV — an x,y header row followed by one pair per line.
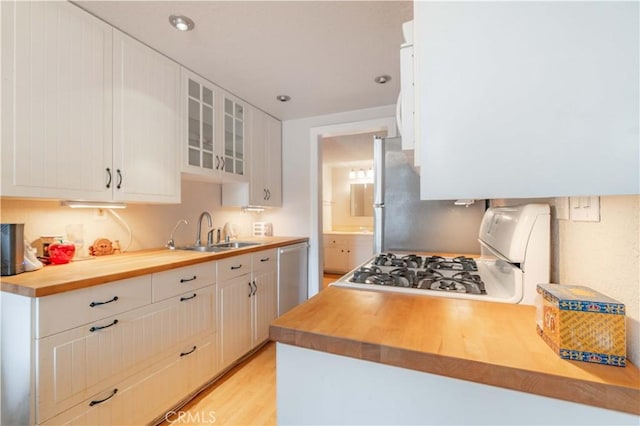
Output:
x,y
234,148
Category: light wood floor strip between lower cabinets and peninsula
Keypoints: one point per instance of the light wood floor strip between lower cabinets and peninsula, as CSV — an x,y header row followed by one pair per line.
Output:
x,y
246,395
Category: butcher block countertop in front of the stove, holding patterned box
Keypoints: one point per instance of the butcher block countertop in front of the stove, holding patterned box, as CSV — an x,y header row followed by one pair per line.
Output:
x,y
484,342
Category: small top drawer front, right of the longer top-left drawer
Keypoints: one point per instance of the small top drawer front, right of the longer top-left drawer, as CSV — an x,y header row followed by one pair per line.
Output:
x,y
177,281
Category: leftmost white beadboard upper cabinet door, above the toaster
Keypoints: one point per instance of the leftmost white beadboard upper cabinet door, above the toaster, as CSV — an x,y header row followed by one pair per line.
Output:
x,y
56,102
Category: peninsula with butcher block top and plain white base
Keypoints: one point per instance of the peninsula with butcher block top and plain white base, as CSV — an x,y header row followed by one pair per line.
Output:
x,y
363,357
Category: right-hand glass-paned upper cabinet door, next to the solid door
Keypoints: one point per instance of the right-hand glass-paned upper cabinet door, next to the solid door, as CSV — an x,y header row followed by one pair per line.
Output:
x,y
233,144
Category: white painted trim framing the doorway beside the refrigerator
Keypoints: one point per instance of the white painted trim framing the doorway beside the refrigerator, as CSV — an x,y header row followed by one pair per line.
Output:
x,y
387,124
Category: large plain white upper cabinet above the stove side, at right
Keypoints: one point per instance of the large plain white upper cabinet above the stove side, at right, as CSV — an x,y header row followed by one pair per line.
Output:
x,y
527,99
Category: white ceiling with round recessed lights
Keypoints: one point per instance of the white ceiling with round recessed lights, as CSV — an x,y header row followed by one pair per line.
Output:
x,y
324,54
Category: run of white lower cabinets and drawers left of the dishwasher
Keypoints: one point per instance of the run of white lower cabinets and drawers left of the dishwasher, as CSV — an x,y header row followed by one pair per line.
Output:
x,y
128,351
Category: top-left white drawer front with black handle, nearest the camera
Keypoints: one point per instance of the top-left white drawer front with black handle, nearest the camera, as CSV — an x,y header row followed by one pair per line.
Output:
x,y
68,310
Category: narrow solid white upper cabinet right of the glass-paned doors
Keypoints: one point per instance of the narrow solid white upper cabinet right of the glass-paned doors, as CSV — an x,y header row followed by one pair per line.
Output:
x,y
266,160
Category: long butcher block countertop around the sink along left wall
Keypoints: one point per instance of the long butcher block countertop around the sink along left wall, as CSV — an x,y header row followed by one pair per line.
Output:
x,y
55,279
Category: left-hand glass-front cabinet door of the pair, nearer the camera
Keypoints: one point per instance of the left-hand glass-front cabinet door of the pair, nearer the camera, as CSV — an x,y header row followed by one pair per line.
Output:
x,y
199,154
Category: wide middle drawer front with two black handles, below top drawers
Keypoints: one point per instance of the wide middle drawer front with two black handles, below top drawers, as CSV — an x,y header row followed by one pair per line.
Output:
x,y
82,361
